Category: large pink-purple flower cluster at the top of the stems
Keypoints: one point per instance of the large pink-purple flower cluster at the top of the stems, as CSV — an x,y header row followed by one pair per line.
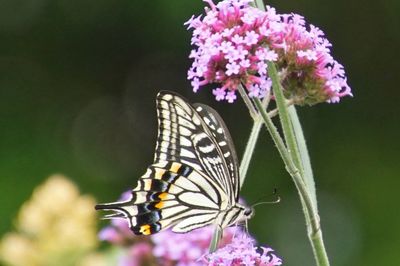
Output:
x,y
234,40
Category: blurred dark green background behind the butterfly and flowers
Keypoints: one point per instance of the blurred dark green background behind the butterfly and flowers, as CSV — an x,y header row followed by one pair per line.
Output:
x,y
78,81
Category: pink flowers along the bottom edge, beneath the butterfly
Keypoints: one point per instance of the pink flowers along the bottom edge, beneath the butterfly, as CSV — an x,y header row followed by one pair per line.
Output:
x,y
190,249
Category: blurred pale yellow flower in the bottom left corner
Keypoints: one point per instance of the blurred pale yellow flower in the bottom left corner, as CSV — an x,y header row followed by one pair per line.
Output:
x,y
57,226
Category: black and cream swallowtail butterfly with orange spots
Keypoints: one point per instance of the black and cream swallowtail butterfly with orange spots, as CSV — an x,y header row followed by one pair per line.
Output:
x,y
194,180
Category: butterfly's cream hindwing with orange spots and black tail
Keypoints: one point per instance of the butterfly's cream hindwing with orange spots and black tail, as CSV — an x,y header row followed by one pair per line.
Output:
x,y
168,194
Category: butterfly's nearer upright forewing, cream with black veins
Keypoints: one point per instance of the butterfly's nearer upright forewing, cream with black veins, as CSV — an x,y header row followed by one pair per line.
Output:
x,y
185,137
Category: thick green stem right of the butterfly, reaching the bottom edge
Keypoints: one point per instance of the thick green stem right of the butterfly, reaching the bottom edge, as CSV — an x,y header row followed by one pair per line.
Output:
x,y
295,158
